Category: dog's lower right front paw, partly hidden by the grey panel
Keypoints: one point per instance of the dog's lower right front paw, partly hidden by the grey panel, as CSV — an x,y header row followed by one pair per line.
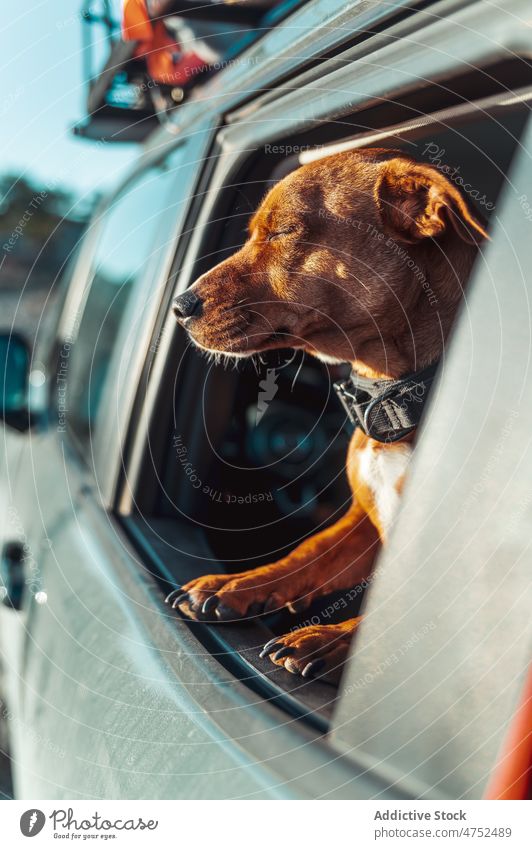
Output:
x,y
316,651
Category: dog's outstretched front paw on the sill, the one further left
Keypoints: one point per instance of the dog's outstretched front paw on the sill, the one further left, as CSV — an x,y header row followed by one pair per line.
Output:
x,y
224,598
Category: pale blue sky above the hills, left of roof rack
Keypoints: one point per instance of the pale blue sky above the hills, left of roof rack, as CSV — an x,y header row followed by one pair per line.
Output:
x,y
43,95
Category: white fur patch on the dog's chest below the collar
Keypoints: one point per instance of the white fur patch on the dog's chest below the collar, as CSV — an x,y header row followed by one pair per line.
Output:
x,y
382,470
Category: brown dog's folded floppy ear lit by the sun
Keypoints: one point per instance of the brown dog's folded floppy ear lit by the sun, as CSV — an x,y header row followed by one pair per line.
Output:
x,y
417,202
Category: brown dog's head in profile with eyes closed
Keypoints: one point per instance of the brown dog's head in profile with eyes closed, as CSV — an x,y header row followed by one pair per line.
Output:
x,y
339,252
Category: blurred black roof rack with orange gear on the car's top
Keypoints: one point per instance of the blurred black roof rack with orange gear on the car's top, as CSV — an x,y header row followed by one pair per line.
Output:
x,y
139,66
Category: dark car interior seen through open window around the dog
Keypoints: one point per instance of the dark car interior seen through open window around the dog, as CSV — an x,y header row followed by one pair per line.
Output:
x,y
230,483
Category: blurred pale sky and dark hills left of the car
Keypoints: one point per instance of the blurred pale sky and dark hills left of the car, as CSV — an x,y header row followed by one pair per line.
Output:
x,y
50,179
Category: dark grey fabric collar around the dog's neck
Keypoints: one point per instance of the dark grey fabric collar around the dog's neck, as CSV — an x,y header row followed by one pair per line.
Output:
x,y
386,410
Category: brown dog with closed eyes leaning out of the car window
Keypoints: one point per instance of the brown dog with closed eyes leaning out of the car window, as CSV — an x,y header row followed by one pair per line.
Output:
x,y
359,257
